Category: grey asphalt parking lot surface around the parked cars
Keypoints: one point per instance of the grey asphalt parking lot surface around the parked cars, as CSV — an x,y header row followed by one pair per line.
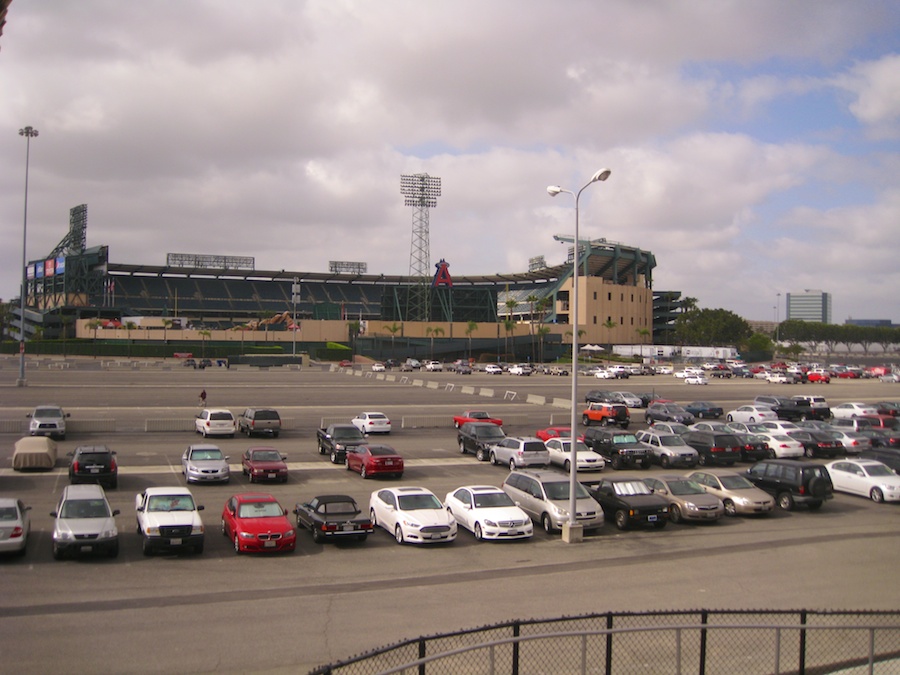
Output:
x,y
290,612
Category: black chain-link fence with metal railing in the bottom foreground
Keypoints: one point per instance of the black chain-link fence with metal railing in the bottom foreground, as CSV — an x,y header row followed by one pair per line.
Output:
x,y
703,641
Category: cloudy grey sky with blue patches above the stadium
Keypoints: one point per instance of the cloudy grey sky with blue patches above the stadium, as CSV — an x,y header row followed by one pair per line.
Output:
x,y
754,146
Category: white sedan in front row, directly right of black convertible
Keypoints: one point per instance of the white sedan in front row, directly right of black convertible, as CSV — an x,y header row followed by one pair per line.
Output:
x,y
413,515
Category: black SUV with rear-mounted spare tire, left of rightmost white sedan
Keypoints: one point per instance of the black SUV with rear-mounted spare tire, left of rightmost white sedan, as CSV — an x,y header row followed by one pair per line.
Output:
x,y
792,482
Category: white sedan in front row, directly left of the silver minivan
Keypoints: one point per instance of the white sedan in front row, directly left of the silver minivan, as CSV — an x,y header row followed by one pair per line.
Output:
x,y
488,513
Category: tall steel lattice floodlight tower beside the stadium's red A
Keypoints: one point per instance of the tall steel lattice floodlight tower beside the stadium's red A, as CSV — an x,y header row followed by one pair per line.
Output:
x,y
421,192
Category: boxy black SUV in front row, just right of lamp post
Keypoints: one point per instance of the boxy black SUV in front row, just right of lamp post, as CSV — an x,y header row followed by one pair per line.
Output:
x,y
630,502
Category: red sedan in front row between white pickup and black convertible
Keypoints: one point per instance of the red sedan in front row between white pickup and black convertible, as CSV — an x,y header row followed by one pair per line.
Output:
x,y
257,522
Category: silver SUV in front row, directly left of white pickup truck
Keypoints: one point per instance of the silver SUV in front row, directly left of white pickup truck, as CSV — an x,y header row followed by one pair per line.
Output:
x,y
84,523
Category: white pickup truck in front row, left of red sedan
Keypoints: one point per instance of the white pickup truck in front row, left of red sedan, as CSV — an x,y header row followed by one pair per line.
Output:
x,y
168,518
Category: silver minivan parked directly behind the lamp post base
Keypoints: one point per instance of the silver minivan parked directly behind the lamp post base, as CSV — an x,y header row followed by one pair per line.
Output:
x,y
545,496
